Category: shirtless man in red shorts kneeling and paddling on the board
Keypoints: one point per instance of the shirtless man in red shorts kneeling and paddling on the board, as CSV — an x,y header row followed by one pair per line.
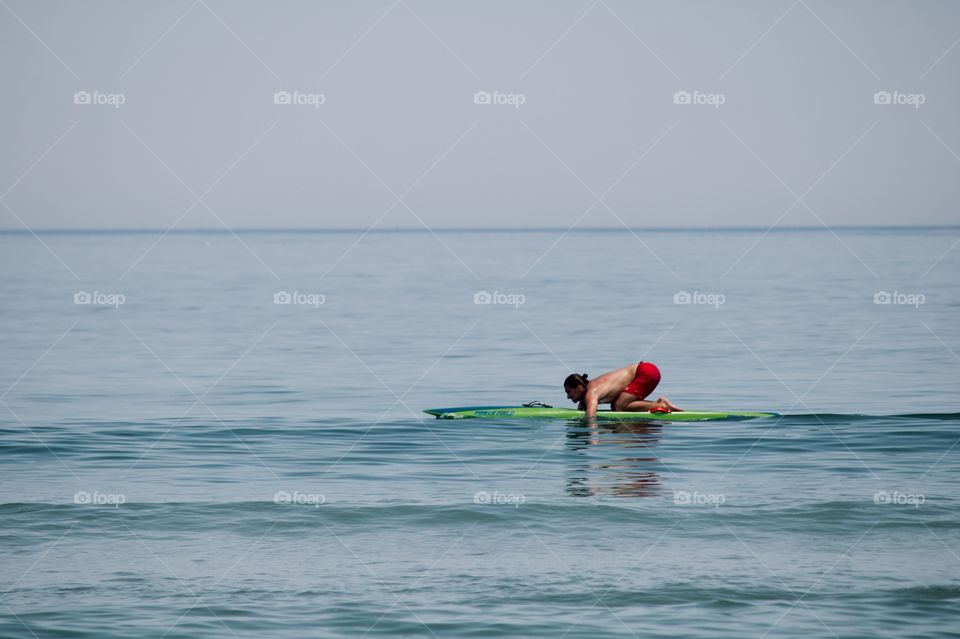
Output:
x,y
625,389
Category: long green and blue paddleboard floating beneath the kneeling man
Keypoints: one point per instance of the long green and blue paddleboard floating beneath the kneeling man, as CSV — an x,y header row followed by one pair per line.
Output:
x,y
546,412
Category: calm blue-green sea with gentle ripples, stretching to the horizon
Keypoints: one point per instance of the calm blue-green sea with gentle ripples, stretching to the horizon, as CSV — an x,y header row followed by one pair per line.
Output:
x,y
184,457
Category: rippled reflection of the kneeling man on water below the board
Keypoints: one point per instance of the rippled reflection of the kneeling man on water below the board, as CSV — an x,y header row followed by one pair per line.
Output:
x,y
613,459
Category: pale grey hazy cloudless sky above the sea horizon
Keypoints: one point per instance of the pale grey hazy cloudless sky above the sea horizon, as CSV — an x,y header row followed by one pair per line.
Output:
x,y
584,124
